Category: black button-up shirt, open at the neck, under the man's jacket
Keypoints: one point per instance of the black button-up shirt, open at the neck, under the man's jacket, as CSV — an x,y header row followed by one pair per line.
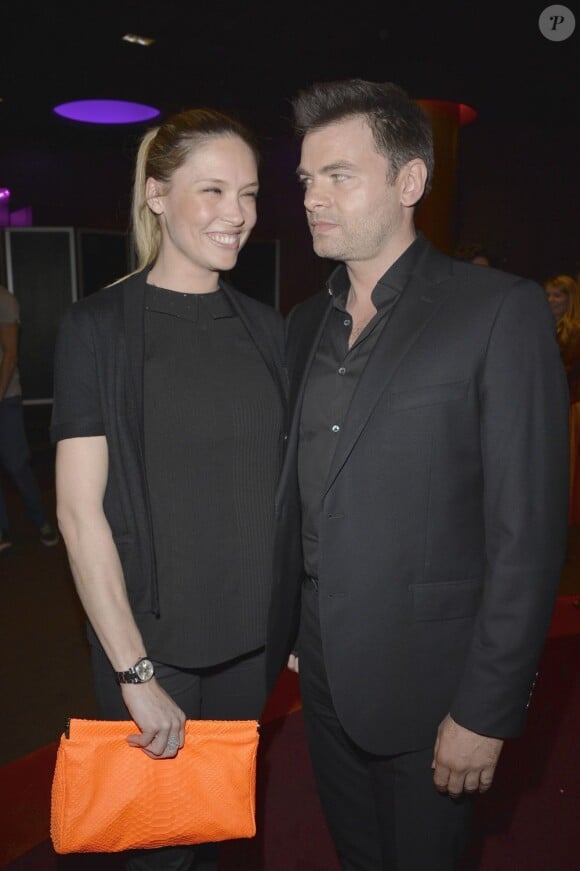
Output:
x,y
331,384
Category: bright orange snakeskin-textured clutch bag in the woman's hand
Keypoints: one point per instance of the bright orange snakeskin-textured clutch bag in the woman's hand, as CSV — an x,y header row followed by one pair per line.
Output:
x,y
108,796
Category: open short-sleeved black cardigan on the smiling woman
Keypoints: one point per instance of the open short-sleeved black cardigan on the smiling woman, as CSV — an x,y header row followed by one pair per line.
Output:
x,y
98,390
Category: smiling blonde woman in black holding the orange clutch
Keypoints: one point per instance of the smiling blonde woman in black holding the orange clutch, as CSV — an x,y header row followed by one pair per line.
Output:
x,y
169,418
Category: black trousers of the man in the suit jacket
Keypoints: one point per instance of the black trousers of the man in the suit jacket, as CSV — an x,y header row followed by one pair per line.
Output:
x,y
383,812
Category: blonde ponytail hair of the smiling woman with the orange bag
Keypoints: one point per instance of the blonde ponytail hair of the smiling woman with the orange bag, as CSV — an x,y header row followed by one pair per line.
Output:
x,y
162,151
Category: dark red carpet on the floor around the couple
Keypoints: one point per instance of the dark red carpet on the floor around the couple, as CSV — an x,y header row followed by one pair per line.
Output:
x,y
528,821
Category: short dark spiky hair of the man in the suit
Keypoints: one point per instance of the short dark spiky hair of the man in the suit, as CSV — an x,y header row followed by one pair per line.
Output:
x,y
401,129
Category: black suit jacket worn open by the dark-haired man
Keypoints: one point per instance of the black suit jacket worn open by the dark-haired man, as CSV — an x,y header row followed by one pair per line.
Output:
x,y
444,517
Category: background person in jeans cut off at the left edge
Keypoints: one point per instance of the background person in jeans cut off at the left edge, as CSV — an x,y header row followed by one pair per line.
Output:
x,y
14,453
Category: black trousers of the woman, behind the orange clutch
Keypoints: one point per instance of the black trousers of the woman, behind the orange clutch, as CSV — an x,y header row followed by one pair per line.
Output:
x,y
234,690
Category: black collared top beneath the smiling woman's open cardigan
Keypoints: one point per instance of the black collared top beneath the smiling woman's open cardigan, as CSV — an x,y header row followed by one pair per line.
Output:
x,y
213,436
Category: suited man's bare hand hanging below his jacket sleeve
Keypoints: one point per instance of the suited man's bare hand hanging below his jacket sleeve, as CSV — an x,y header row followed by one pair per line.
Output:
x,y
463,761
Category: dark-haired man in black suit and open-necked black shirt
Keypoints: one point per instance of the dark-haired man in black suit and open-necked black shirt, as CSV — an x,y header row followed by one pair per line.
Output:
x,y
427,467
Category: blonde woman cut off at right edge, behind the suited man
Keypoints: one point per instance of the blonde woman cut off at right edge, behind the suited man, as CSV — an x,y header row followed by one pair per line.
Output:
x,y
563,294
